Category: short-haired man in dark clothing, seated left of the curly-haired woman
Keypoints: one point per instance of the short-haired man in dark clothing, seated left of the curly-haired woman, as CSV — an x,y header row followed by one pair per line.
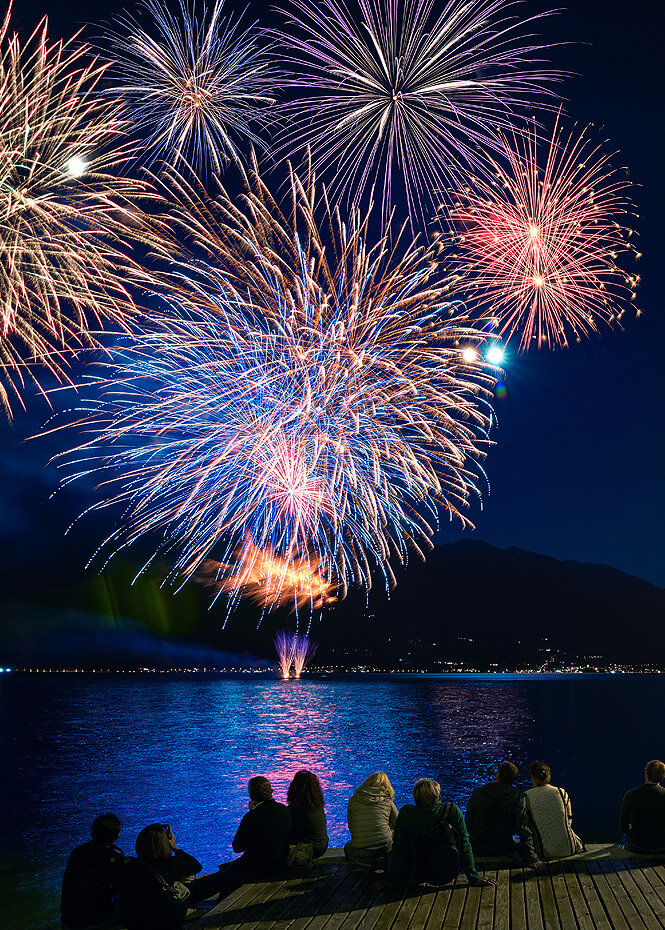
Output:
x,y
262,837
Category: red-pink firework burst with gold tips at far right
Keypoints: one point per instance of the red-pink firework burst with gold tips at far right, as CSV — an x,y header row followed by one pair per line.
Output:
x,y
544,240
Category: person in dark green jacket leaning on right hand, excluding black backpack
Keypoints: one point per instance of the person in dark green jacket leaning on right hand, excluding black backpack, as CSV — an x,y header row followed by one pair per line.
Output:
x,y
415,821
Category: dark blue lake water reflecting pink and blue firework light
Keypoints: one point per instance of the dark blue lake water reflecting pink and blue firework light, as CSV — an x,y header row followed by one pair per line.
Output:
x,y
180,750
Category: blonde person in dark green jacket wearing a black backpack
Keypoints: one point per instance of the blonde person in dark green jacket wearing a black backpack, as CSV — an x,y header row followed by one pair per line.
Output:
x,y
431,843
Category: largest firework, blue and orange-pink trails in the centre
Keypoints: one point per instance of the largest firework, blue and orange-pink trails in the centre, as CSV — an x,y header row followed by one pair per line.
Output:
x,y
307,403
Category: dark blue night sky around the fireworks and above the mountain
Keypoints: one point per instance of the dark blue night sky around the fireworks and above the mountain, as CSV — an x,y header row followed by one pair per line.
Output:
x,y
577,469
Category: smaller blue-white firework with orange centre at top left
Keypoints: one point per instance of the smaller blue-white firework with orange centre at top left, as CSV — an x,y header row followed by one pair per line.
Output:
x,y
198,88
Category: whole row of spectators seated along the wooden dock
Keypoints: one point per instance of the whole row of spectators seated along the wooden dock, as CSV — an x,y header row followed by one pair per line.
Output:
x,y
428,841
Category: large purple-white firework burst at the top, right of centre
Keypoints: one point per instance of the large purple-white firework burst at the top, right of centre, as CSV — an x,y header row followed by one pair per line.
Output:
x,y
409,97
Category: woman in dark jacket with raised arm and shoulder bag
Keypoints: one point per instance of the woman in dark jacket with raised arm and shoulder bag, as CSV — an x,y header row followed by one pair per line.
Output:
x,y
145,903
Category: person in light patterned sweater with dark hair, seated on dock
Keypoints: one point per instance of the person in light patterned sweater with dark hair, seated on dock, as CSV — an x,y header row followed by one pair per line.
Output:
x,y
551,816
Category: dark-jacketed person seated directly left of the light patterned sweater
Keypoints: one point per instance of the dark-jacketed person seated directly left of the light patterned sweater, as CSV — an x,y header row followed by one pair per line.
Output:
x,y
497,812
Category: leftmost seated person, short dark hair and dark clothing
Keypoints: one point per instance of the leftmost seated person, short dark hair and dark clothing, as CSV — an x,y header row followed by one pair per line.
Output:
x,y
91,878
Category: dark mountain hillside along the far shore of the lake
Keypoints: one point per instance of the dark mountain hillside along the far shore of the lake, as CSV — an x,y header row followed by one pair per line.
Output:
x,y
468,602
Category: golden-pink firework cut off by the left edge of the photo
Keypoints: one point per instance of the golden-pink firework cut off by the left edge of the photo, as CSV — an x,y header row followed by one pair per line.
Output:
x,y
62,209
